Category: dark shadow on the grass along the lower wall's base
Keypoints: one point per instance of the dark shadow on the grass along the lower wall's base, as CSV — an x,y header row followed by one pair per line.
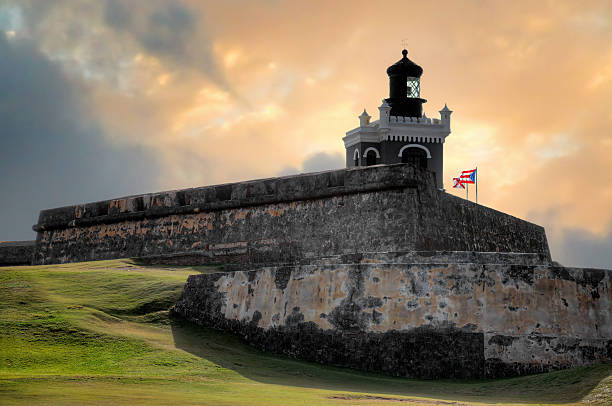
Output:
x,y
228,351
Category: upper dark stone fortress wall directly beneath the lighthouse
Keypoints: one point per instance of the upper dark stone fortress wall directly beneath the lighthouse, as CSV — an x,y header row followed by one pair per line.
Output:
x,y
280,220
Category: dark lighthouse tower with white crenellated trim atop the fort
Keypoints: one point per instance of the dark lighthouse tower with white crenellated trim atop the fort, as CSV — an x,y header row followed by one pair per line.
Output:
x,y
402,134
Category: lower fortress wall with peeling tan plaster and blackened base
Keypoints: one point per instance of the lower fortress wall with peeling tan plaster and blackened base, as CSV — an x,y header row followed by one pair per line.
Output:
x,y
445,320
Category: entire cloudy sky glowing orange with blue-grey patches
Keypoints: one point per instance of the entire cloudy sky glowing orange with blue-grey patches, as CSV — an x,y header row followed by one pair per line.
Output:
x,y
101,99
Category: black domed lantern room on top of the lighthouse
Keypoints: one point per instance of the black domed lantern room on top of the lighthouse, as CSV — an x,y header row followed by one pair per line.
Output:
x,y
405,88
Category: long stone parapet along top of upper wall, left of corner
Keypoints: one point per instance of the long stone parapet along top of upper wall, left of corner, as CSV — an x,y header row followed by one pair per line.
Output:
x,y
233,195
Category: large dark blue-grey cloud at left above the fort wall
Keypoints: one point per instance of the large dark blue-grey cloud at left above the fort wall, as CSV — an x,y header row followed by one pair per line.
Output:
x,y
52,152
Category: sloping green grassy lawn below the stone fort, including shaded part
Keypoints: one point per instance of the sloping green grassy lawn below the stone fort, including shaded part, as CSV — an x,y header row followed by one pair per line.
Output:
x,y
98,333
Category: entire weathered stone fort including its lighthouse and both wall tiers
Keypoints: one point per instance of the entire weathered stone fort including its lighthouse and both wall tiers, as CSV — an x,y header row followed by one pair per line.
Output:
x,y
372,267
